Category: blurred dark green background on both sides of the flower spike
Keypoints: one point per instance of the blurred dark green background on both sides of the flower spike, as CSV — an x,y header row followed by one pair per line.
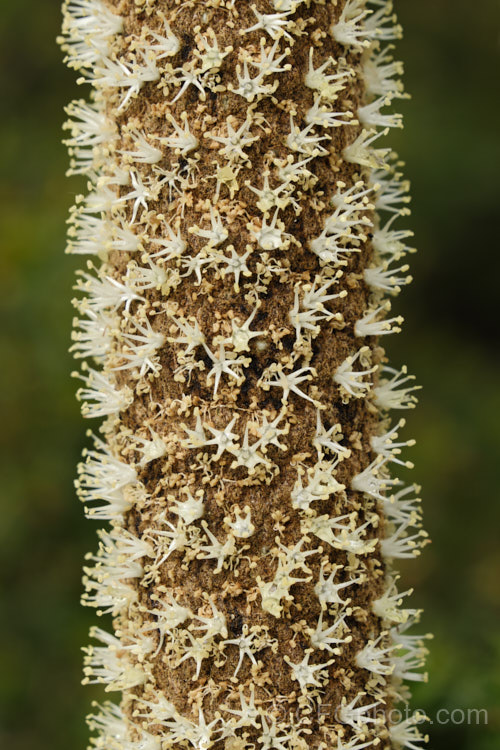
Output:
x,y
451,149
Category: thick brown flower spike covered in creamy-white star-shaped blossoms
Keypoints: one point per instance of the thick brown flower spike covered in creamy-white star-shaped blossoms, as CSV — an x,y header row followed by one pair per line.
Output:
x,y
241,229
